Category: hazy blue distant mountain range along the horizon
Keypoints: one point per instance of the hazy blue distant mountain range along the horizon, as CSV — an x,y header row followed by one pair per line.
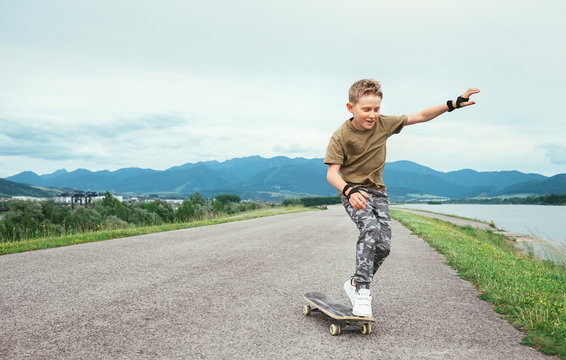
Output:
x,y
280,177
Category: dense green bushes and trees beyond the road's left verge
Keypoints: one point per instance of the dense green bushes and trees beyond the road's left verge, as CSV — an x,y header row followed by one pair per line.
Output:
x,y
28,220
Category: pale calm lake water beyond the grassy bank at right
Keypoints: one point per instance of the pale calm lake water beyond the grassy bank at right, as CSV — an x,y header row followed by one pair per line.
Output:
x,y
547,223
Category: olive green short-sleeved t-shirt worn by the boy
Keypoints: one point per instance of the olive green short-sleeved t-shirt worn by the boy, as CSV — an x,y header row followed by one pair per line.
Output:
x,y
361,153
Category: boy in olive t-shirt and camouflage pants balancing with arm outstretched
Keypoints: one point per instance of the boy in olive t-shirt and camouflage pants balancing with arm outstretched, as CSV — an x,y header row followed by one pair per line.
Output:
x,y
355,159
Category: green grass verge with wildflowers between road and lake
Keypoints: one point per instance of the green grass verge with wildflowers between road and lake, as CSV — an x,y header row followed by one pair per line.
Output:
x,y
529,293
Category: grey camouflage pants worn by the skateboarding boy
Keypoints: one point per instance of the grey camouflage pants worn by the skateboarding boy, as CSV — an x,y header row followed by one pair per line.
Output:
x,y
374,241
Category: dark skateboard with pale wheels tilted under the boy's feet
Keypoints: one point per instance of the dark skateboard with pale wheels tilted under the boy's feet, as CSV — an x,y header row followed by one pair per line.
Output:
x,y
345,320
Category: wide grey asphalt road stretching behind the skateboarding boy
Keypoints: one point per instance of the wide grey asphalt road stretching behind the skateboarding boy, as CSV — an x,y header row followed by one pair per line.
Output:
x,y
235,291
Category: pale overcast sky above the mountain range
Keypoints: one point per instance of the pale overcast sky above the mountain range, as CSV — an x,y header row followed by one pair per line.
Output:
x,y
155,84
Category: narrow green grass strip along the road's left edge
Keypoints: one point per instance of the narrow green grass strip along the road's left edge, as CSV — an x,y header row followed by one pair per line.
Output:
x,y
82,238
